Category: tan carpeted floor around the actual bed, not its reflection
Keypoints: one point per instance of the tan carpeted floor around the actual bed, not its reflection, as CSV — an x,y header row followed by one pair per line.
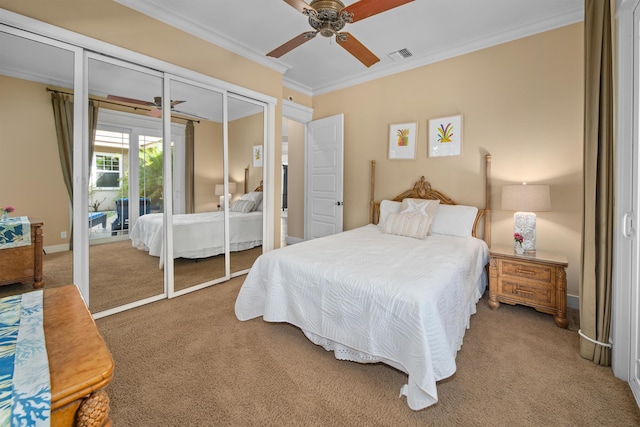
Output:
x,y
189,362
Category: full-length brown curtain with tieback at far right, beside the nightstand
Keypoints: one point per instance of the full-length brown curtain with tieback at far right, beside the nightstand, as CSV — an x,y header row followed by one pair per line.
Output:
x,y
597,232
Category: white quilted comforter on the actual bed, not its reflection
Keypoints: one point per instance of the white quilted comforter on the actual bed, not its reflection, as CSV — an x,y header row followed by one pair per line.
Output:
x,y
370,297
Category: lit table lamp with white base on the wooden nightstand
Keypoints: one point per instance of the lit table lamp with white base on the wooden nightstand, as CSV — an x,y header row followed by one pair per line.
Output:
x,y
525,200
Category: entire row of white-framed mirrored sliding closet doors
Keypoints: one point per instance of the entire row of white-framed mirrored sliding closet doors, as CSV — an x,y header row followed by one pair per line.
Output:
x,y
165,164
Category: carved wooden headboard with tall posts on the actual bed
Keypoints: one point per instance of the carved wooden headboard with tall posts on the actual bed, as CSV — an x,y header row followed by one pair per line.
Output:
x,y
422,190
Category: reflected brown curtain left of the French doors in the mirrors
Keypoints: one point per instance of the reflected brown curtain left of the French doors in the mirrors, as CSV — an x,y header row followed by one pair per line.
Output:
x,y
63,117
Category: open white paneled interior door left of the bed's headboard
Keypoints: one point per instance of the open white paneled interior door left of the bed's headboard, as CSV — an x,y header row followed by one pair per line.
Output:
x,y
324,177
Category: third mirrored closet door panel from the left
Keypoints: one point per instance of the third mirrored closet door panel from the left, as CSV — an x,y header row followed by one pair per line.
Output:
x,y
199,226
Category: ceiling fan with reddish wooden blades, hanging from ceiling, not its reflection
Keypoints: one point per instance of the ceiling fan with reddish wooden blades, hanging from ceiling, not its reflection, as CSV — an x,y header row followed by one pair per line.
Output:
x,y
329,17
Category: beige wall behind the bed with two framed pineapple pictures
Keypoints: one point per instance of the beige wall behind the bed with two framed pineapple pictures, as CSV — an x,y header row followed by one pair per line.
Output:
x,y
520,101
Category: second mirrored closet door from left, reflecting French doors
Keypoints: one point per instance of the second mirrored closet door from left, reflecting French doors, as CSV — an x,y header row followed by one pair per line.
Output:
x,y
125,185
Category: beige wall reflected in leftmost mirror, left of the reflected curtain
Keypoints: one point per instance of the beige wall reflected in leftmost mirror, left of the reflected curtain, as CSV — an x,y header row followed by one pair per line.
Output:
x,y
31,178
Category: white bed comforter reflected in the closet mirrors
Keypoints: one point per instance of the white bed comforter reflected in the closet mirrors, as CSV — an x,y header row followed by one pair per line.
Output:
x,y
198,235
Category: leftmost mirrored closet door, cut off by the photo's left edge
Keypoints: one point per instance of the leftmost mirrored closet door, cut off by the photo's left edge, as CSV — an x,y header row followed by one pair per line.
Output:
x,y
35,141
